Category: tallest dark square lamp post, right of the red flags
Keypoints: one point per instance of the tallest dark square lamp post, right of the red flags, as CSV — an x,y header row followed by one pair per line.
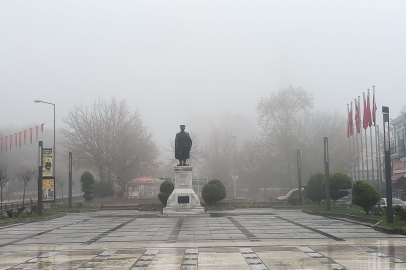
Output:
x,y
388,167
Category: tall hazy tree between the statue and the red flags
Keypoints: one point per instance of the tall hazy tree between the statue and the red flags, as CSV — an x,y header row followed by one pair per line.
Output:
x,y
278,119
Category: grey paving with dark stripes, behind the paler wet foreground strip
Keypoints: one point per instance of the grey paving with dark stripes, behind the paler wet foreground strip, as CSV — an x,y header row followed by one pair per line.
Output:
x,y
89,228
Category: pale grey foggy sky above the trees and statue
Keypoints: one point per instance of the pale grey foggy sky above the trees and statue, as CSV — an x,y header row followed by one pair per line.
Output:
x,y
191,62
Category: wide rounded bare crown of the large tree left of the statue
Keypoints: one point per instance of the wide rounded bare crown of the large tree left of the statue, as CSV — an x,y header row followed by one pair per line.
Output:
x,y
110,139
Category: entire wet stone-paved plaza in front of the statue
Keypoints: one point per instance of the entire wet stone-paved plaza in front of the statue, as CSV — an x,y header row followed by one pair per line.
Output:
x,y
239,239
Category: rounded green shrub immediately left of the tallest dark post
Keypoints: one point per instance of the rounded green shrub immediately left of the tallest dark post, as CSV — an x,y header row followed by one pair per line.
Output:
x,y
364,195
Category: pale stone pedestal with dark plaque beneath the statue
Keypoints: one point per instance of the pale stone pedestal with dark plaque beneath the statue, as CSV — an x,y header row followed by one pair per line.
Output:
x,y
183,200
